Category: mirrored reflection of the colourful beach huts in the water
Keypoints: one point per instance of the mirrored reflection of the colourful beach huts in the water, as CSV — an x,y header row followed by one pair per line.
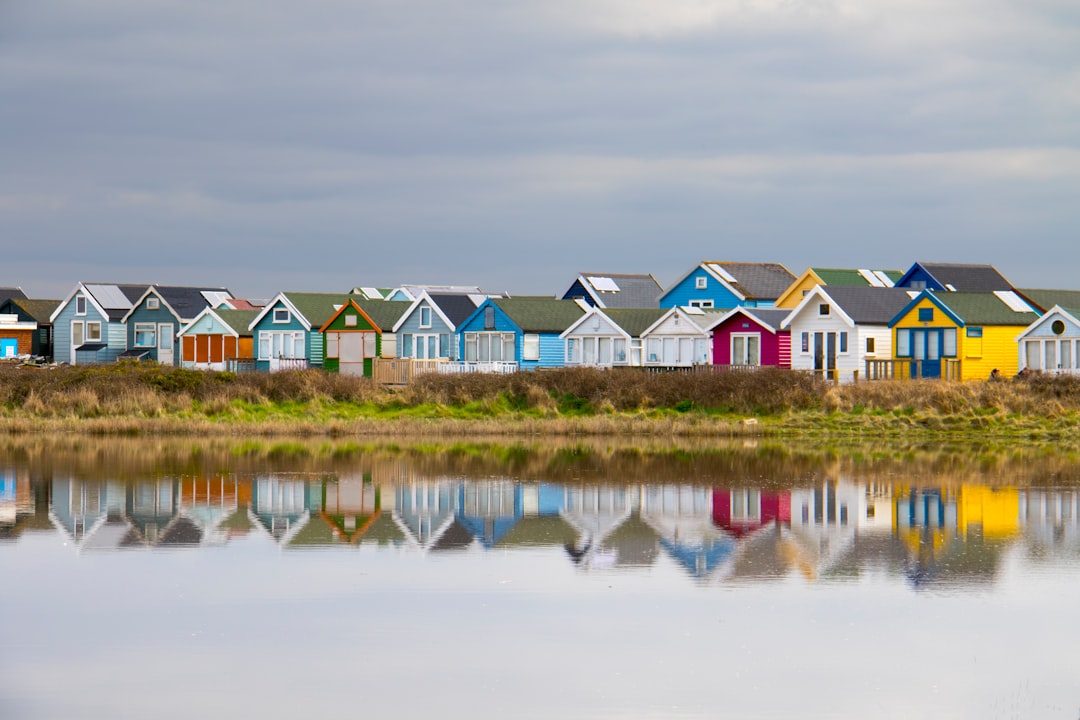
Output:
x,y
930,535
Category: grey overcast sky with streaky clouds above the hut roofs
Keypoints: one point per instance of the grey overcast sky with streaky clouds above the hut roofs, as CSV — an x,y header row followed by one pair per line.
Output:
x,y
327,144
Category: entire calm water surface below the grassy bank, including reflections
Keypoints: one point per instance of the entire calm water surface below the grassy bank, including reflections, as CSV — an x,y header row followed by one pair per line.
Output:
x,y
180,580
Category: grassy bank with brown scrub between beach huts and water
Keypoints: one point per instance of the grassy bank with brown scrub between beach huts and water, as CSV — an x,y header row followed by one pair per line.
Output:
x,y
142,399
